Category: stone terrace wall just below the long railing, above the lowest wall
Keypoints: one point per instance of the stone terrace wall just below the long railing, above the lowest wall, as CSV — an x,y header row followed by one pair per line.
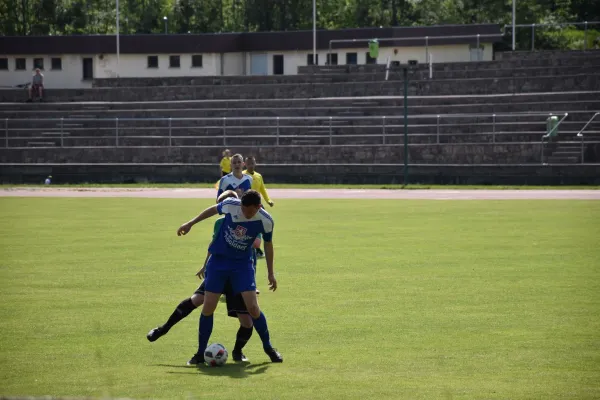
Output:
x,y
450,153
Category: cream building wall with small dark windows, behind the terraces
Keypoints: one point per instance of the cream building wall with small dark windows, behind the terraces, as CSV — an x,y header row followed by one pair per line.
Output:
x,y
136,65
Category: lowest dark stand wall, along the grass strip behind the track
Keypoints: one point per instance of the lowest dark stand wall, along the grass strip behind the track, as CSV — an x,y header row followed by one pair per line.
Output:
x,y
330,173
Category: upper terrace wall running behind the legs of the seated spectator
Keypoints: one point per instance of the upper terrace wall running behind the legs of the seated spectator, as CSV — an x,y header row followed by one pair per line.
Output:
x,y
540,84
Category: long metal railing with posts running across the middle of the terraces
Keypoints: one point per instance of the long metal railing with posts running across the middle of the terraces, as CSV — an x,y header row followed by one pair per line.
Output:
x,y
228,126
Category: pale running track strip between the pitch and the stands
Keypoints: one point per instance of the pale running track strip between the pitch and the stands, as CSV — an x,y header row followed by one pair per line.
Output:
x,y
312,193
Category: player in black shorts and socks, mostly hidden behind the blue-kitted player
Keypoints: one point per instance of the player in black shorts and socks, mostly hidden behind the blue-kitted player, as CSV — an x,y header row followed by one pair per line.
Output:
x,y
235,305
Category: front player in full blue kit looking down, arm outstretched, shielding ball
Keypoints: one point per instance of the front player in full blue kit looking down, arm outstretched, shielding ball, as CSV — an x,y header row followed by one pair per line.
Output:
x,y
230,258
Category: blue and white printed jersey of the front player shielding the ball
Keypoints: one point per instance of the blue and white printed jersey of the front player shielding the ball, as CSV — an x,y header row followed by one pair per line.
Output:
x,y
236,236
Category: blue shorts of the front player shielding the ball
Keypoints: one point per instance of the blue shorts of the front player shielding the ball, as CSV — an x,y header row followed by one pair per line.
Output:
x,y
220,269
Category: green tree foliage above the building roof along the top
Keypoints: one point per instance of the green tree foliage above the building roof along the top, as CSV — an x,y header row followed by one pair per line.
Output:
x,y
43,17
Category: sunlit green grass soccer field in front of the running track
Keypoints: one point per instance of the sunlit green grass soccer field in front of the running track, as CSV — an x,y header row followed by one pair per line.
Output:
x,y
390,299
